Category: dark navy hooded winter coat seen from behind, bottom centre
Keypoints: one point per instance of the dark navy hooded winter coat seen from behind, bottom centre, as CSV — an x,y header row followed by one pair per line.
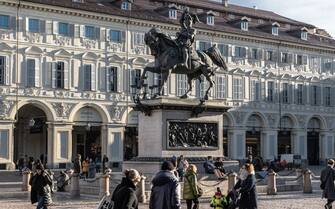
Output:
x,y
165,193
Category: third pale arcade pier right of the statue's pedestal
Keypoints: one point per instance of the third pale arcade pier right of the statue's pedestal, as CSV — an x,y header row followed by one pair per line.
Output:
x,y
299,143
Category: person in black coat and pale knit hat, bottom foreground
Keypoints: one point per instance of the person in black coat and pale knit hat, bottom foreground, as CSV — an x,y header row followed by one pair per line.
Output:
x,y
124,195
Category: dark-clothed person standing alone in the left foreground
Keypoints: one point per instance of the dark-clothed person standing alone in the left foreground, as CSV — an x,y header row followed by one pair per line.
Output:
x,y
40,188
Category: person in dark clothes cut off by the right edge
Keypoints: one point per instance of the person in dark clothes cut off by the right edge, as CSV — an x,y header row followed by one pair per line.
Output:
x,y
327,183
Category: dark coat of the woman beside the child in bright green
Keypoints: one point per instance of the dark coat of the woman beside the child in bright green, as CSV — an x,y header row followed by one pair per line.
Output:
x,y
248,192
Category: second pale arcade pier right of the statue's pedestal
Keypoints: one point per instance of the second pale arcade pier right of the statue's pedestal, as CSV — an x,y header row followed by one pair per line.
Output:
x,y
269,144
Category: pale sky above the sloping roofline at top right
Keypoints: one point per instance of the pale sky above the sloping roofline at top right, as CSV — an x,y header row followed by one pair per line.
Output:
x,y
320,13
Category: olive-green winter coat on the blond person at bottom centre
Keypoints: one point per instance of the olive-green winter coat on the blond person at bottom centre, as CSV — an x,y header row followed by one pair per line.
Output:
x,y
190,191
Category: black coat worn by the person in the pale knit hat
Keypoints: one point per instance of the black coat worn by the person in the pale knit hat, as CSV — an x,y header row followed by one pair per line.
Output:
x,y
124,195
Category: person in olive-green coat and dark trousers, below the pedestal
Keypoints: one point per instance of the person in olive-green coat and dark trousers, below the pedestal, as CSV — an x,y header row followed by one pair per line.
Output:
x,y
191,191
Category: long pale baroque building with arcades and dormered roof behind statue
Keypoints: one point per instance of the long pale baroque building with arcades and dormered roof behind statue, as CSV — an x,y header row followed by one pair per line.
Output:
x,y
69,69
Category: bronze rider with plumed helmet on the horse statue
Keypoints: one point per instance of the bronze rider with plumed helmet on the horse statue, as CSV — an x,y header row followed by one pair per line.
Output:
x,y
185,38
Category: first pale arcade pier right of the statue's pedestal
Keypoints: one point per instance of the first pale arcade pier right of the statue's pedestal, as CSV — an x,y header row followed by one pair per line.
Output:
x,y
236,144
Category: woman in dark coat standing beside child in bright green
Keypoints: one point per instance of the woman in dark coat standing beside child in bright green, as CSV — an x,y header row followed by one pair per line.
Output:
x,y
247,187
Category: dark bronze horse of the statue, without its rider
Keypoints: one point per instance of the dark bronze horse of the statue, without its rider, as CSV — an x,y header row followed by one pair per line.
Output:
x,y
167,60
